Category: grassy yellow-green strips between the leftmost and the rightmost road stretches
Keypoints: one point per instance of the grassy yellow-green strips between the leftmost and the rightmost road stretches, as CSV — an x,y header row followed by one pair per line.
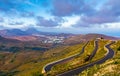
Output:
x,y
82,59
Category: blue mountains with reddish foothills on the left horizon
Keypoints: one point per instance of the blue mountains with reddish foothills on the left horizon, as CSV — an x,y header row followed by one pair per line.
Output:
x,y
30,34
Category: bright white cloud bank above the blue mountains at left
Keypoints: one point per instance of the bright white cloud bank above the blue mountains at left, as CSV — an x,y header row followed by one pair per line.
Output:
x,y
26,22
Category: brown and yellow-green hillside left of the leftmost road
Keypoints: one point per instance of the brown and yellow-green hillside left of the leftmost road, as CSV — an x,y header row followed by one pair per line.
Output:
x,y
30,63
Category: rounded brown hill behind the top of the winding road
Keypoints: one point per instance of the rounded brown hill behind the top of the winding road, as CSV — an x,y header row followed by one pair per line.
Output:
x,y
81,38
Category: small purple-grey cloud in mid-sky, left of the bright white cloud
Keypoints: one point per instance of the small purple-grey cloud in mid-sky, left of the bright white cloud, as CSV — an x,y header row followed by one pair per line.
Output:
x,y
48,23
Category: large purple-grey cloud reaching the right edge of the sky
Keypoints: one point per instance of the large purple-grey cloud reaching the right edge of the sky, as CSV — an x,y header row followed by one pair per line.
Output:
x,y
108,13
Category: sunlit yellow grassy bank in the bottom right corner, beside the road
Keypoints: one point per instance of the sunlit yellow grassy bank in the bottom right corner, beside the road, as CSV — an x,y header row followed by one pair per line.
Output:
x,y
110,68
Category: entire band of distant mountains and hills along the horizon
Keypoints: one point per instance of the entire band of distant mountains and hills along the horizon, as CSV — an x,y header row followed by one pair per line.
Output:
x,y
32,34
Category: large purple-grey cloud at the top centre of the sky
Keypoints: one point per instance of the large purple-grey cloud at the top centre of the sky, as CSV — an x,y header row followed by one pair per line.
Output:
x,y
70,7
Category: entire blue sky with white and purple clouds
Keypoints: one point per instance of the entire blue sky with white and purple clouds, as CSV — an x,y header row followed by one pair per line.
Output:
x,y
70,16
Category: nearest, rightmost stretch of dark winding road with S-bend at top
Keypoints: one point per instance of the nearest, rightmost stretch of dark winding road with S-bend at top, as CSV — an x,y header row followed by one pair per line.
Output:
x,y
110,54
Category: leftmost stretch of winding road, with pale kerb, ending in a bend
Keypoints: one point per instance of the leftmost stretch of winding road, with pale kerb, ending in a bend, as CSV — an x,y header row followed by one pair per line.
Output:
x,y
48,67
